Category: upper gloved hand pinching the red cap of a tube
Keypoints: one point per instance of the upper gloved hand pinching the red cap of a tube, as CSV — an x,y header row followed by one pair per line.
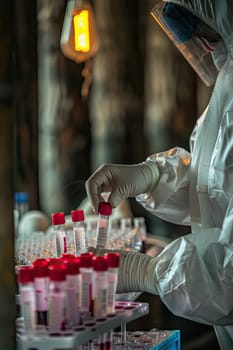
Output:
x,y
121,181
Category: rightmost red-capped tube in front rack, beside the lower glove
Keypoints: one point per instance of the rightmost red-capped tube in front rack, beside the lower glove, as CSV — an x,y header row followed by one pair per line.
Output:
x,y
113,260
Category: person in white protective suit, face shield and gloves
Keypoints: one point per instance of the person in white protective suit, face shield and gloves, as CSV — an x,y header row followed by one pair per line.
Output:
x,y
193,275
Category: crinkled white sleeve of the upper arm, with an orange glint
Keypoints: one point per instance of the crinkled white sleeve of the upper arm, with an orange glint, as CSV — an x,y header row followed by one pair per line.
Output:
x,y
169,200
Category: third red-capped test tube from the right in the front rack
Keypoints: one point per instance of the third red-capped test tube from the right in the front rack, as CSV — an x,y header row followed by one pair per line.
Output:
x,y
86,273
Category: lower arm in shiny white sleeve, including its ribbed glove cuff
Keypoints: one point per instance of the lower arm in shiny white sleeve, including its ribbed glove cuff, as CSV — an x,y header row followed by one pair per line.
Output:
x,y
193,275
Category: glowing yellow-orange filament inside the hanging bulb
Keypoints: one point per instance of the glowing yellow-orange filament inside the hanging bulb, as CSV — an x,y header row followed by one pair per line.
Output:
x,y
81,31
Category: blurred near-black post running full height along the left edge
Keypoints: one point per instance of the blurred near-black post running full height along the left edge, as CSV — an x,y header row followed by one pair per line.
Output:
x,y
7,275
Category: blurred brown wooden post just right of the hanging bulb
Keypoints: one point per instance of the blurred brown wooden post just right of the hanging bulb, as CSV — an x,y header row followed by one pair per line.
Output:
x,y
116,105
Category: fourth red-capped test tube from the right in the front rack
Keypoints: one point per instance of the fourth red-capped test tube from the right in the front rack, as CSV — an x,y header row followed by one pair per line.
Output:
x,y
72,288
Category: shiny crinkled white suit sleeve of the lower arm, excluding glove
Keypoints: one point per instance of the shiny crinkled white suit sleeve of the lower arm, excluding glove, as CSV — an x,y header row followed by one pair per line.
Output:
x,y
194,278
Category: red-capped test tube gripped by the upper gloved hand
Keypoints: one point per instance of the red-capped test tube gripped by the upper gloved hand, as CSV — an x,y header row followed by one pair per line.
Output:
x,y
104,210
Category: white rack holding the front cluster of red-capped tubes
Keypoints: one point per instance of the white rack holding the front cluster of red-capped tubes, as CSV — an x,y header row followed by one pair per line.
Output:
x,y
89,330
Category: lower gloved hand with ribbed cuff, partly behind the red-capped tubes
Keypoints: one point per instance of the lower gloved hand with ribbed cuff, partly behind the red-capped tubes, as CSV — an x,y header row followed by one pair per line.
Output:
x,y
136,271
